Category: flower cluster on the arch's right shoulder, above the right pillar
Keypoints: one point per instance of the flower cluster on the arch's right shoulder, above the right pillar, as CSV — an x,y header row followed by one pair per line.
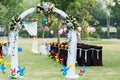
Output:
x,y
71,23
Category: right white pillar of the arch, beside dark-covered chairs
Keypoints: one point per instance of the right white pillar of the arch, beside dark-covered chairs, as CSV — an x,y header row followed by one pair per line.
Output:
x,y
71,59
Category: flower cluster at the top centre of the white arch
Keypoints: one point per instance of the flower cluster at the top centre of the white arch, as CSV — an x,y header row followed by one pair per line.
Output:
x,y
45,7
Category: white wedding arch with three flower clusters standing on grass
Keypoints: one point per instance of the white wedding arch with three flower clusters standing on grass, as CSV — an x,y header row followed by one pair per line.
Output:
x,y
46,8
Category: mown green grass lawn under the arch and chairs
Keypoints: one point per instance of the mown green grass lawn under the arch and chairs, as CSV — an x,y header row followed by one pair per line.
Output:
x,y
40,67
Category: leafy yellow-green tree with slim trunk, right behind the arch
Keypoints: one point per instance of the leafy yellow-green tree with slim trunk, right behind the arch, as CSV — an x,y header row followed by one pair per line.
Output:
x,y
82,10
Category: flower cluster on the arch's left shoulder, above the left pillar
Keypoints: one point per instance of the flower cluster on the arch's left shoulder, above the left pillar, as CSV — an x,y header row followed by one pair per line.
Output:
x,y
16,23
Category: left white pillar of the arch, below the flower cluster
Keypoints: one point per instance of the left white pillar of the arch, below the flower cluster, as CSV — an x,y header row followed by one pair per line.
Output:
x,y
14,50
